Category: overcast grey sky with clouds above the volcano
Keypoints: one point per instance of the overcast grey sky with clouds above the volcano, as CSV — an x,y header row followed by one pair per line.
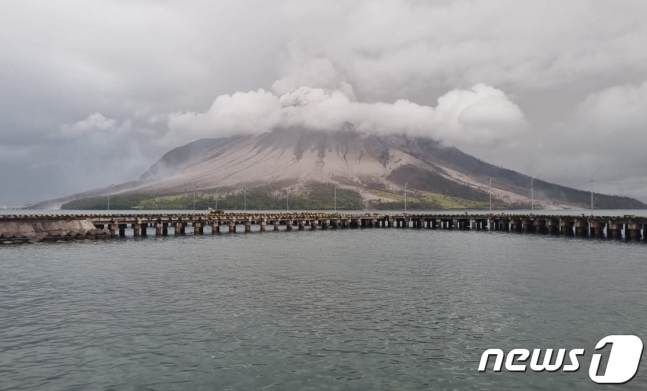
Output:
x,y
93,92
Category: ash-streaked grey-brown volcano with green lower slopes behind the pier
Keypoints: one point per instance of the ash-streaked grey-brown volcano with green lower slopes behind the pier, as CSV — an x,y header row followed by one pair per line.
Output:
x,y
375,168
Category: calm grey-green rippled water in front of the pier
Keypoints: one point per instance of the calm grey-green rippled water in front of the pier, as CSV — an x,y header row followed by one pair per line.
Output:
x,y
360,309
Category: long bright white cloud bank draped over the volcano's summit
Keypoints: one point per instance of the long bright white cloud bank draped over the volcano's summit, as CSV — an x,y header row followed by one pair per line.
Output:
x,y
480,115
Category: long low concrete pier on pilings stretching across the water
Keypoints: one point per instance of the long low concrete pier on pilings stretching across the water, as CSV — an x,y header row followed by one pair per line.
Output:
x,y
141,225
